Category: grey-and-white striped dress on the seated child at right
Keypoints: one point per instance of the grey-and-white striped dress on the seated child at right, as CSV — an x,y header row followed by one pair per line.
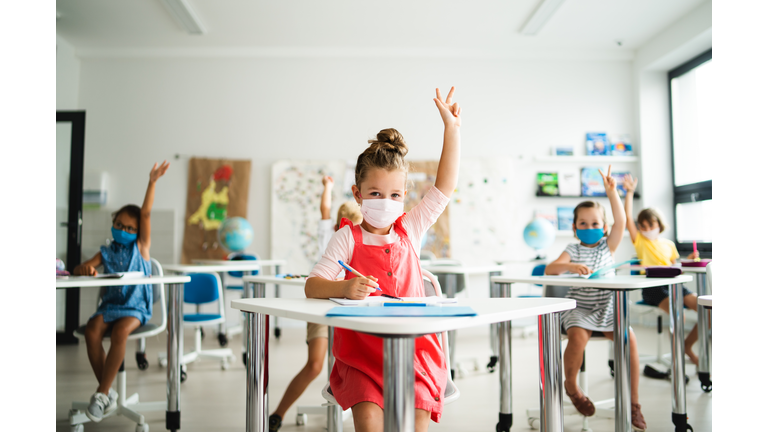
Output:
x,y
594,307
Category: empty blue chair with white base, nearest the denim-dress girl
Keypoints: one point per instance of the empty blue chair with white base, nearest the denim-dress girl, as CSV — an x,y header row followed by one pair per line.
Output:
x,y
202,289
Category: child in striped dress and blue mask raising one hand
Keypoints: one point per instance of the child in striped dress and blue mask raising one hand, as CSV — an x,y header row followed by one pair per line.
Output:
x,y
594,307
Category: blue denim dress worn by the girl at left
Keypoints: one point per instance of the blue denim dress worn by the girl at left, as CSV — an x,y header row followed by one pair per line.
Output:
x,y
127,300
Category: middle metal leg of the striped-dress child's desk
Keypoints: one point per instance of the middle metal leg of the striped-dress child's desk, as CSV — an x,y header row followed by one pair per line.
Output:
x,y
621,381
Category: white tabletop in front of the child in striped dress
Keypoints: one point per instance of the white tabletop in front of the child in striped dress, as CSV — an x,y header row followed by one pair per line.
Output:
x,y
614,283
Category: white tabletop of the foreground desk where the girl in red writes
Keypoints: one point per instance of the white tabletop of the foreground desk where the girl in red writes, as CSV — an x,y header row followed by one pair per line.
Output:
x,y
489,311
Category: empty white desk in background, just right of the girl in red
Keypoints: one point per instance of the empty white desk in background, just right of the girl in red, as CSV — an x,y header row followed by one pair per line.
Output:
x,y
452,273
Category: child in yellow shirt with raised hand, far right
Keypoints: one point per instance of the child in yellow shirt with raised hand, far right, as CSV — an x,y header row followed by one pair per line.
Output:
x,y
654,251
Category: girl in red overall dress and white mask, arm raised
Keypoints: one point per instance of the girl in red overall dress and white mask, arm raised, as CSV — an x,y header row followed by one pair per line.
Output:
x,y
386,247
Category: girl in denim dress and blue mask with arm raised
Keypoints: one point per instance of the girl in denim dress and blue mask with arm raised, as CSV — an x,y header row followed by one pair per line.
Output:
x,y
123,309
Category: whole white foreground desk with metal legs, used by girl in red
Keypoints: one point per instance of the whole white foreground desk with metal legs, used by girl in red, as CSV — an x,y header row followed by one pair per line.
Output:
x,y
398,334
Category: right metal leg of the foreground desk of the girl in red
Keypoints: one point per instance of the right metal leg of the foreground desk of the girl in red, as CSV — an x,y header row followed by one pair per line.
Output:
x,y
550,374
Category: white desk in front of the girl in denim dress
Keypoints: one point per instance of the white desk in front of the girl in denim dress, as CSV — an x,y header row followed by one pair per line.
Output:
x,y
175,331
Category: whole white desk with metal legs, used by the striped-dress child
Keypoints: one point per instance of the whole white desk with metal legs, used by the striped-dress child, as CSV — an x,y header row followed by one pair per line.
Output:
x,y
621,285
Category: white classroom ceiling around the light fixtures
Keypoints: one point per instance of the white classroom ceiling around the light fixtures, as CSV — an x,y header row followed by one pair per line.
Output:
x,y
363,24
